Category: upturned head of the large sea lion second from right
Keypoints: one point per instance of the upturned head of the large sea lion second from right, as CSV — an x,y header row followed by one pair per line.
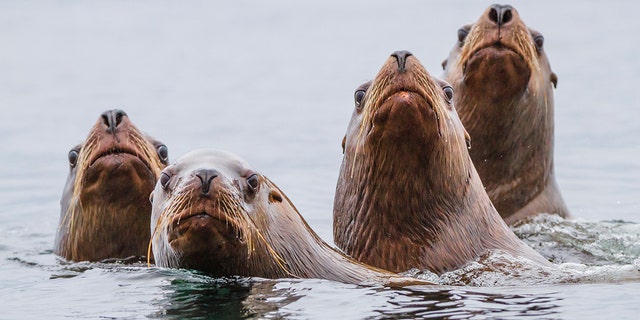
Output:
x,y
404,110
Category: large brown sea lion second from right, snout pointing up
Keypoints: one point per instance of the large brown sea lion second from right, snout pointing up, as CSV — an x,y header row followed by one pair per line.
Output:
x,y
408,195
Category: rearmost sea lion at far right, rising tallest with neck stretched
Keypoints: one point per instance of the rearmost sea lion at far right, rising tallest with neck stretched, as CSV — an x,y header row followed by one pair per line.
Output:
x,y
504,95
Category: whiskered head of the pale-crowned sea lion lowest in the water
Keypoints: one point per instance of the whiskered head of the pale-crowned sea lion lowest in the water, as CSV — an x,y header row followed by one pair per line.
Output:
x,y
208,213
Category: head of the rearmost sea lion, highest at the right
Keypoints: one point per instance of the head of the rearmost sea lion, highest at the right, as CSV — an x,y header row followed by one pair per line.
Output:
x,y
499,57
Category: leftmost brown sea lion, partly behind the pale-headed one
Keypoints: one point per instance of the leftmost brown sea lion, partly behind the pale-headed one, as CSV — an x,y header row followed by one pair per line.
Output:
x,y
105,209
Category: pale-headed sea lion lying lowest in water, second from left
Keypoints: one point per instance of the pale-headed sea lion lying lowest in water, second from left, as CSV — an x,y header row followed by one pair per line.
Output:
x,y
213,213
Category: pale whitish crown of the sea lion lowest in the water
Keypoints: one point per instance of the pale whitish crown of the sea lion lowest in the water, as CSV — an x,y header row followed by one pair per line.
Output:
x,y
224,162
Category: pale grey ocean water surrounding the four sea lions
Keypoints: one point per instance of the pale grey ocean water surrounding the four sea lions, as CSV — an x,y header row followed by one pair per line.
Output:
x,y
273,82
